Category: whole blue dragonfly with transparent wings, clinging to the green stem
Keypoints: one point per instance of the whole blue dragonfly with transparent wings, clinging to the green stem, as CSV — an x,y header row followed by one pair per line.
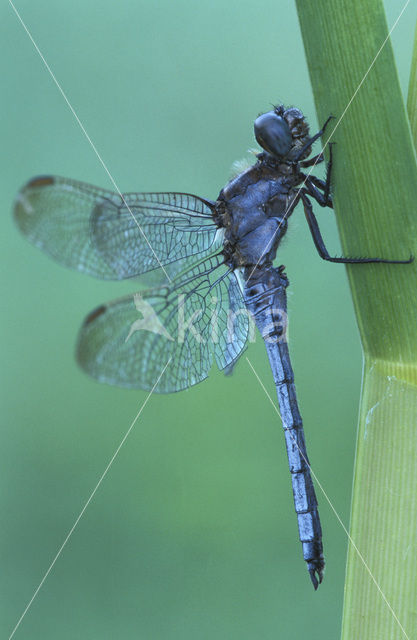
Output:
x,y
213,269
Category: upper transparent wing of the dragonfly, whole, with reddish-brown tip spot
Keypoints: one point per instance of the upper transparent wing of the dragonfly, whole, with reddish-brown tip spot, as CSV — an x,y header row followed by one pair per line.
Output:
x,y
97,232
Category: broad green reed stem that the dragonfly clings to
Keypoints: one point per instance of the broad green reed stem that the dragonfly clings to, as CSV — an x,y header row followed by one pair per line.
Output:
x,y
375,195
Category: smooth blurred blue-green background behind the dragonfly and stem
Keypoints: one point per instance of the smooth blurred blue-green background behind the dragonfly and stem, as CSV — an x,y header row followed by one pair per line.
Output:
x,y
192,533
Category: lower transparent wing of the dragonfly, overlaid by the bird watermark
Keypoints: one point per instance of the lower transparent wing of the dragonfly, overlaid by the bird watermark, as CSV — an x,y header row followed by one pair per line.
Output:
x,y
200,315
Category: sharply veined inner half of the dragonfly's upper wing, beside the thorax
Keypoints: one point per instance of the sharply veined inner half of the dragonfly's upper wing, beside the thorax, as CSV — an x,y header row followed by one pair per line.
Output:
x,y
148,230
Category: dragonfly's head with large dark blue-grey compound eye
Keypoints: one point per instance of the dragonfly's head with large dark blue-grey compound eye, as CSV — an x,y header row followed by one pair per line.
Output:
x,y
282,132
